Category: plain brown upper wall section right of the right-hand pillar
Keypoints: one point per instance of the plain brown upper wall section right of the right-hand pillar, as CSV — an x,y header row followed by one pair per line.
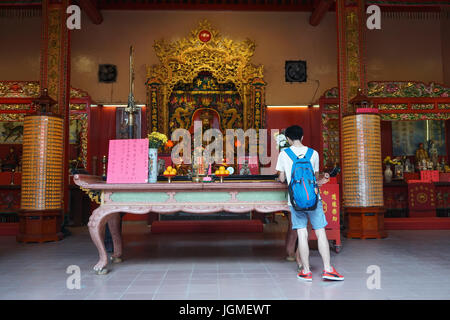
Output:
x,y
405,49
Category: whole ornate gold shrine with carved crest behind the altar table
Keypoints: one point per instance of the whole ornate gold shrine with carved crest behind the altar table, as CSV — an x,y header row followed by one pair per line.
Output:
x,y
205,72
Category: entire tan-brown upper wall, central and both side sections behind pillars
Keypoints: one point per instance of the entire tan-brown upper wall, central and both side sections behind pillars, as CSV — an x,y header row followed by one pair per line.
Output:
x,y
404,49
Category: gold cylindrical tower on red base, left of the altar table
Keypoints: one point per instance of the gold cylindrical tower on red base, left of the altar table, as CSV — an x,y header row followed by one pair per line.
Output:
x,y
42,176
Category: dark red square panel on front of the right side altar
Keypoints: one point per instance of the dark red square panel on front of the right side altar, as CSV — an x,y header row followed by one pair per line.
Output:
x,y
422,199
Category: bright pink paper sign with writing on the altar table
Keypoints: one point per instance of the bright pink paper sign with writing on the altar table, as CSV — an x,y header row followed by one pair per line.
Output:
x,y
128,161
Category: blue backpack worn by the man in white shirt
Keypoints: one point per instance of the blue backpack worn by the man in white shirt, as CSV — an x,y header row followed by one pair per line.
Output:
x,y
302,188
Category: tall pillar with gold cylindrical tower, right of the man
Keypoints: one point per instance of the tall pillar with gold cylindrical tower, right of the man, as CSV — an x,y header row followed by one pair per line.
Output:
x,y
362,182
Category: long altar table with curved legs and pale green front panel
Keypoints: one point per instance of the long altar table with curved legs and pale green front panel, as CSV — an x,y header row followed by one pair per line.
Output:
x,y
166,198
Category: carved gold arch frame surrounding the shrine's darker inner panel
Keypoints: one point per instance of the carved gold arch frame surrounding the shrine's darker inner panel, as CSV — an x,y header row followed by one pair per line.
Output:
x,y
181,62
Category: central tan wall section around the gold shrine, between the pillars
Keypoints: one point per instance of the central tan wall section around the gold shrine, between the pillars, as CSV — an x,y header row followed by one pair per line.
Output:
x,y
278,37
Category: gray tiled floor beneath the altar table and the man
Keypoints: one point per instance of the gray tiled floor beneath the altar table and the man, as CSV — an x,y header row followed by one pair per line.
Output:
x,y
413,265
